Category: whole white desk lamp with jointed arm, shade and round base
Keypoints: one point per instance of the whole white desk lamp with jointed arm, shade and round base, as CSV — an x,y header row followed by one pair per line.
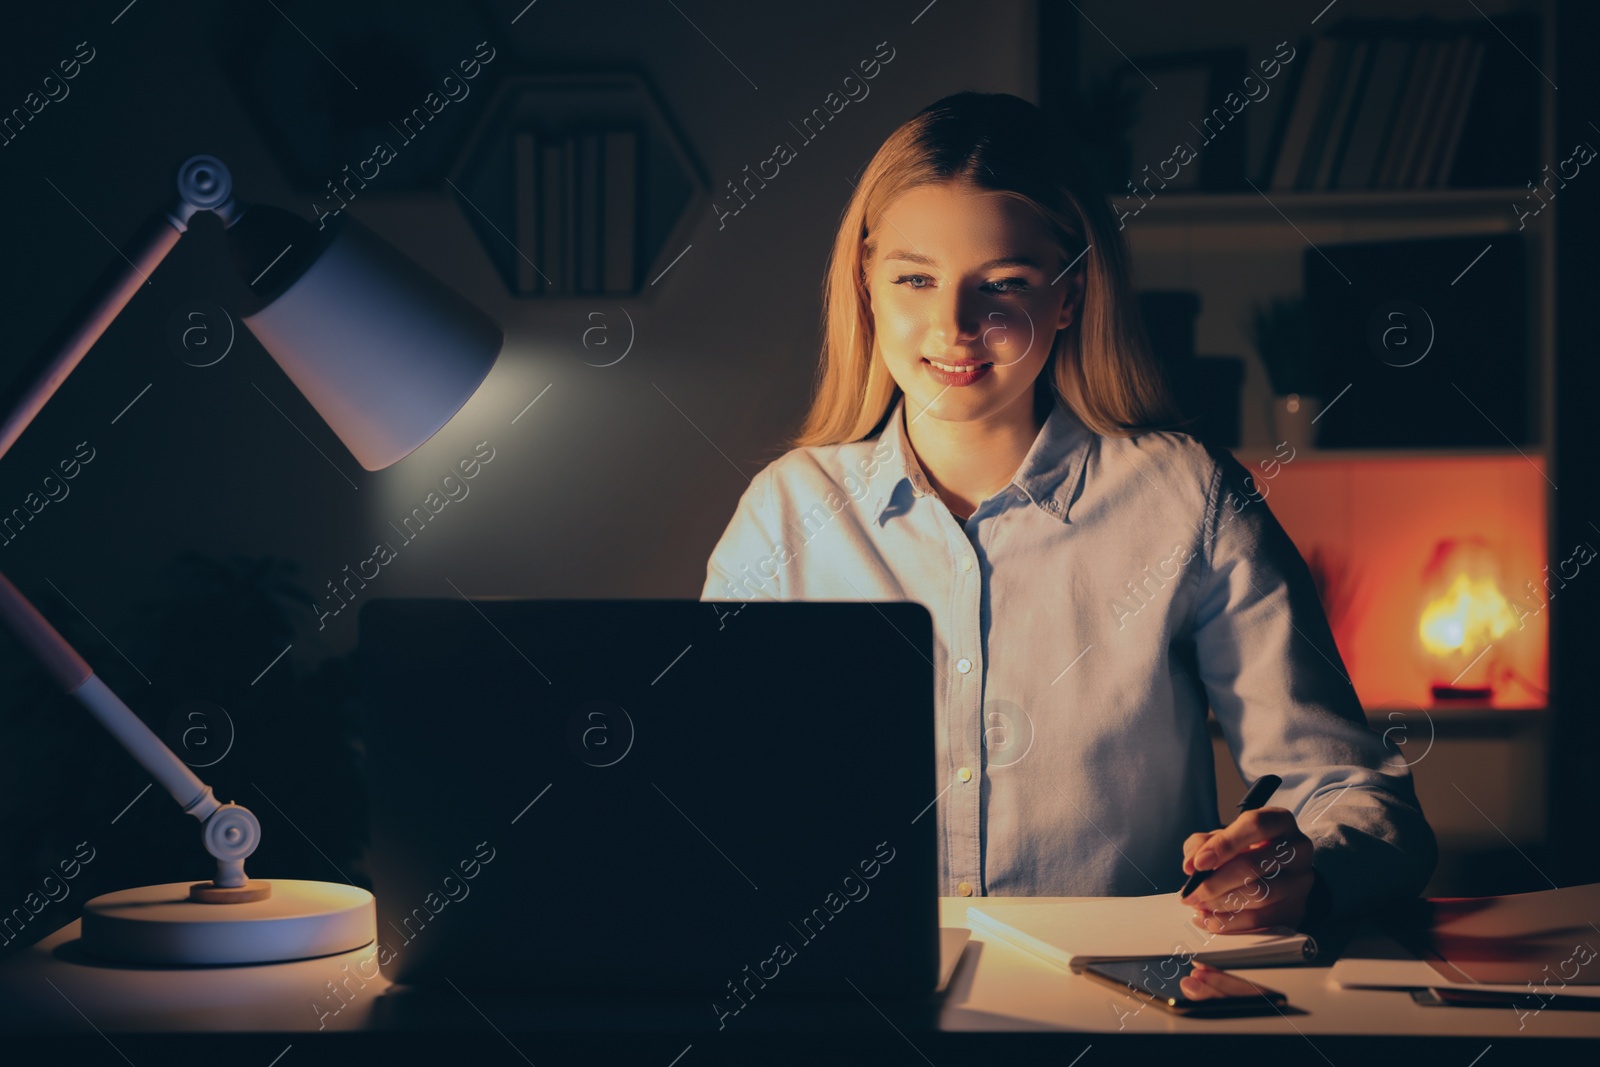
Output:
x,y
386,356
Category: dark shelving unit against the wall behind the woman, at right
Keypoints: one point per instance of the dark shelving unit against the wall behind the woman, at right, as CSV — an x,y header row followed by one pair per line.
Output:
x,y
1242,247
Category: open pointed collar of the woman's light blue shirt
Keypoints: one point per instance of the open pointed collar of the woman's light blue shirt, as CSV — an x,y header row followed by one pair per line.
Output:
x,y
1049,476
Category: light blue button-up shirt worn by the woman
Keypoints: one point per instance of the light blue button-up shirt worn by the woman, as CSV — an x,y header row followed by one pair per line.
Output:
x,y
1084,620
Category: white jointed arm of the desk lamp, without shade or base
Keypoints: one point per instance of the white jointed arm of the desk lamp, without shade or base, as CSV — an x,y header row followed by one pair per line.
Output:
x,y
230,831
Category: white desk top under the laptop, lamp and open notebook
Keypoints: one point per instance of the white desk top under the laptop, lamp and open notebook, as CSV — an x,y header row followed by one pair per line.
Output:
x,y
996,988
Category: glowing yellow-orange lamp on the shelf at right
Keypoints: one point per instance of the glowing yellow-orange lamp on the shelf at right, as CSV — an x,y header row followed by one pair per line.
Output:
x,y
1463,617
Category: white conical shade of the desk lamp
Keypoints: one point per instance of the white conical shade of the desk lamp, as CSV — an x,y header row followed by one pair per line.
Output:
x,y
383,350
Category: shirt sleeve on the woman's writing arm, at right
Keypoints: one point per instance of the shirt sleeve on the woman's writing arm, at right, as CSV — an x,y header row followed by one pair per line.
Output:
x,y
1286,703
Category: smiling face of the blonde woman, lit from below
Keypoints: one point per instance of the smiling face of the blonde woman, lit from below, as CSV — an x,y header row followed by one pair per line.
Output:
x,y
972,279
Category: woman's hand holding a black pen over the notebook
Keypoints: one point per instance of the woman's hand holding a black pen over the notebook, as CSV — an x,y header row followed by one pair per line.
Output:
x,y
1263,874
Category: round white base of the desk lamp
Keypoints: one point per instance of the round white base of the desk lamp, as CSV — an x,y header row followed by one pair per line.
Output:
x,y
162,925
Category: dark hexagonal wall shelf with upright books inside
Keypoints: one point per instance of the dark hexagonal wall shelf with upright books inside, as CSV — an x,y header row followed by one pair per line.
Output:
x,y
578,185
